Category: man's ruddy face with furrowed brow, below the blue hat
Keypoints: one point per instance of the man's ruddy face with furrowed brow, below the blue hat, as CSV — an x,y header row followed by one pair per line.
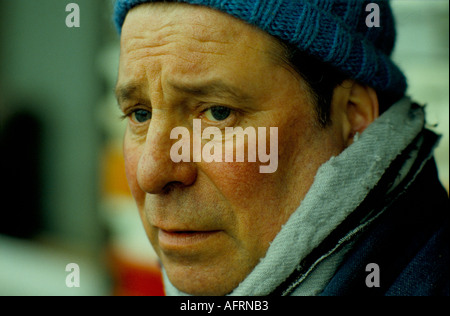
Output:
x,y
211,223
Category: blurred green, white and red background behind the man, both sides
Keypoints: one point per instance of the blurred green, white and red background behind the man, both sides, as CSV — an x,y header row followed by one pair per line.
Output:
x,y
64,197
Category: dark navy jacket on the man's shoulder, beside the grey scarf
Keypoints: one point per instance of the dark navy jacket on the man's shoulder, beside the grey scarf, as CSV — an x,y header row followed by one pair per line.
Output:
x,y
408,239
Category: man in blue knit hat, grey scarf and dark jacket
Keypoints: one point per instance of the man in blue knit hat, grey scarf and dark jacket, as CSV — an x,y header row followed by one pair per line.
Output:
x,y
353,206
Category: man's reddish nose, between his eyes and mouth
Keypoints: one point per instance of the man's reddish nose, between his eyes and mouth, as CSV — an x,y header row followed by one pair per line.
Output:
x,y
156,172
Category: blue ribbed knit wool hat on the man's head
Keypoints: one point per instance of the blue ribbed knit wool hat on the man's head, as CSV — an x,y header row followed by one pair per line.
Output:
x,y
334,31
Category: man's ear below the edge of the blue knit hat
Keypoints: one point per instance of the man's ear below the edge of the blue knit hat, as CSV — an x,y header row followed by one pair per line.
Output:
x,y
358,107
